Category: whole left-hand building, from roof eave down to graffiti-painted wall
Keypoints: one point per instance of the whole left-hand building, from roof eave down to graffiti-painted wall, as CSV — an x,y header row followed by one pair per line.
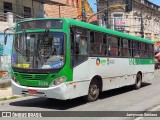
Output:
x,y
10,12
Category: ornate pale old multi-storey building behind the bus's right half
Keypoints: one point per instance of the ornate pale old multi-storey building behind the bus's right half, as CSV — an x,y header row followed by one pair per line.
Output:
x,y
138,17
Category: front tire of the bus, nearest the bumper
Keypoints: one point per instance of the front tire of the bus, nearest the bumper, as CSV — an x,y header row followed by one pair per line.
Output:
x,y
93,92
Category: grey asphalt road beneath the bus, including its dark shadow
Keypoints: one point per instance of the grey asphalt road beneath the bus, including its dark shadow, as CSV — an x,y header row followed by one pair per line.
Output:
x,y
121,99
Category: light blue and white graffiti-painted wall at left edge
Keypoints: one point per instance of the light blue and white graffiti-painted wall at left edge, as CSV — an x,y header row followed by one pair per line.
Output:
x,y
5,57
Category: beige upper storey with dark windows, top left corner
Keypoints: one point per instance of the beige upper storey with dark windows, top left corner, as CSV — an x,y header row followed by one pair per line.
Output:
x,y
23,8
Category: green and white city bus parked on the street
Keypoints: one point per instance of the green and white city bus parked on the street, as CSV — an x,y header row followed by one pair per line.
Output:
x,y
63,58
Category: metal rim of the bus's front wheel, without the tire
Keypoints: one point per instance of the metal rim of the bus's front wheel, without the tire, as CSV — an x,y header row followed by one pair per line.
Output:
x,y
93,91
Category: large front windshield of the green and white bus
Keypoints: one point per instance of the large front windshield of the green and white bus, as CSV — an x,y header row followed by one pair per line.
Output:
x,y
38,50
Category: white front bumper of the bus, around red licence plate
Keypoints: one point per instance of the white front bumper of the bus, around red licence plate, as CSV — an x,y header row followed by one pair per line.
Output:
x,y
57,92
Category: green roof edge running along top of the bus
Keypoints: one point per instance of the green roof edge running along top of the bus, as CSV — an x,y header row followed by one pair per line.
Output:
x,y
95,28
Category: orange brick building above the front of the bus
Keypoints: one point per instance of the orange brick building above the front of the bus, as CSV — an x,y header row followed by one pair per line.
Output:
x,y
69,9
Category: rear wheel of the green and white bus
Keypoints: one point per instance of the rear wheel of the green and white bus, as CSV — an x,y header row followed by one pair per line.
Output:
x,y
138,81
